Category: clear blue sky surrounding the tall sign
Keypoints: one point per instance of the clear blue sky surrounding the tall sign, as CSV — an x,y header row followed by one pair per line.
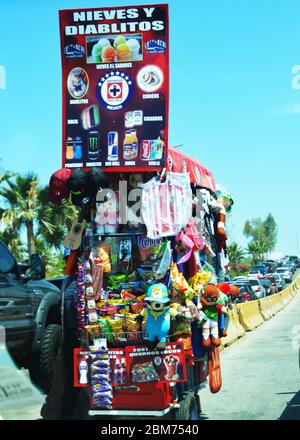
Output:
x,y
232,104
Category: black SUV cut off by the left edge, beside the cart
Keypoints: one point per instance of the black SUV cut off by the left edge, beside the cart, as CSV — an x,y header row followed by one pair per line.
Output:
x,y
30,312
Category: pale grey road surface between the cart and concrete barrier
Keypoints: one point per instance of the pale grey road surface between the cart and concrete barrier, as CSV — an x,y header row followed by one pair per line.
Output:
x,y
260,372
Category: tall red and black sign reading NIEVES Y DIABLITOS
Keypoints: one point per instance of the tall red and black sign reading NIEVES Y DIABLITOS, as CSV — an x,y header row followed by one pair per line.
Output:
x,y
115,77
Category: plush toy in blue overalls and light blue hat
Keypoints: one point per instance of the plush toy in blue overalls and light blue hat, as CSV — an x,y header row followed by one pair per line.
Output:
x,y
157,315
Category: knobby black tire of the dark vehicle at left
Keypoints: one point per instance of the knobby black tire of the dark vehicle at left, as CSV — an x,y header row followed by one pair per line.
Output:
x,y
51,342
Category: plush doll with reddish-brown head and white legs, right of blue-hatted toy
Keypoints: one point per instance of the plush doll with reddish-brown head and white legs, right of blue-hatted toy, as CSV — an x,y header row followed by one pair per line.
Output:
x,y
211,305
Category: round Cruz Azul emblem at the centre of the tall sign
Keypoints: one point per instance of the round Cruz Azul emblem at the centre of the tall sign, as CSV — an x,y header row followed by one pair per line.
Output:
x,y
114,90
